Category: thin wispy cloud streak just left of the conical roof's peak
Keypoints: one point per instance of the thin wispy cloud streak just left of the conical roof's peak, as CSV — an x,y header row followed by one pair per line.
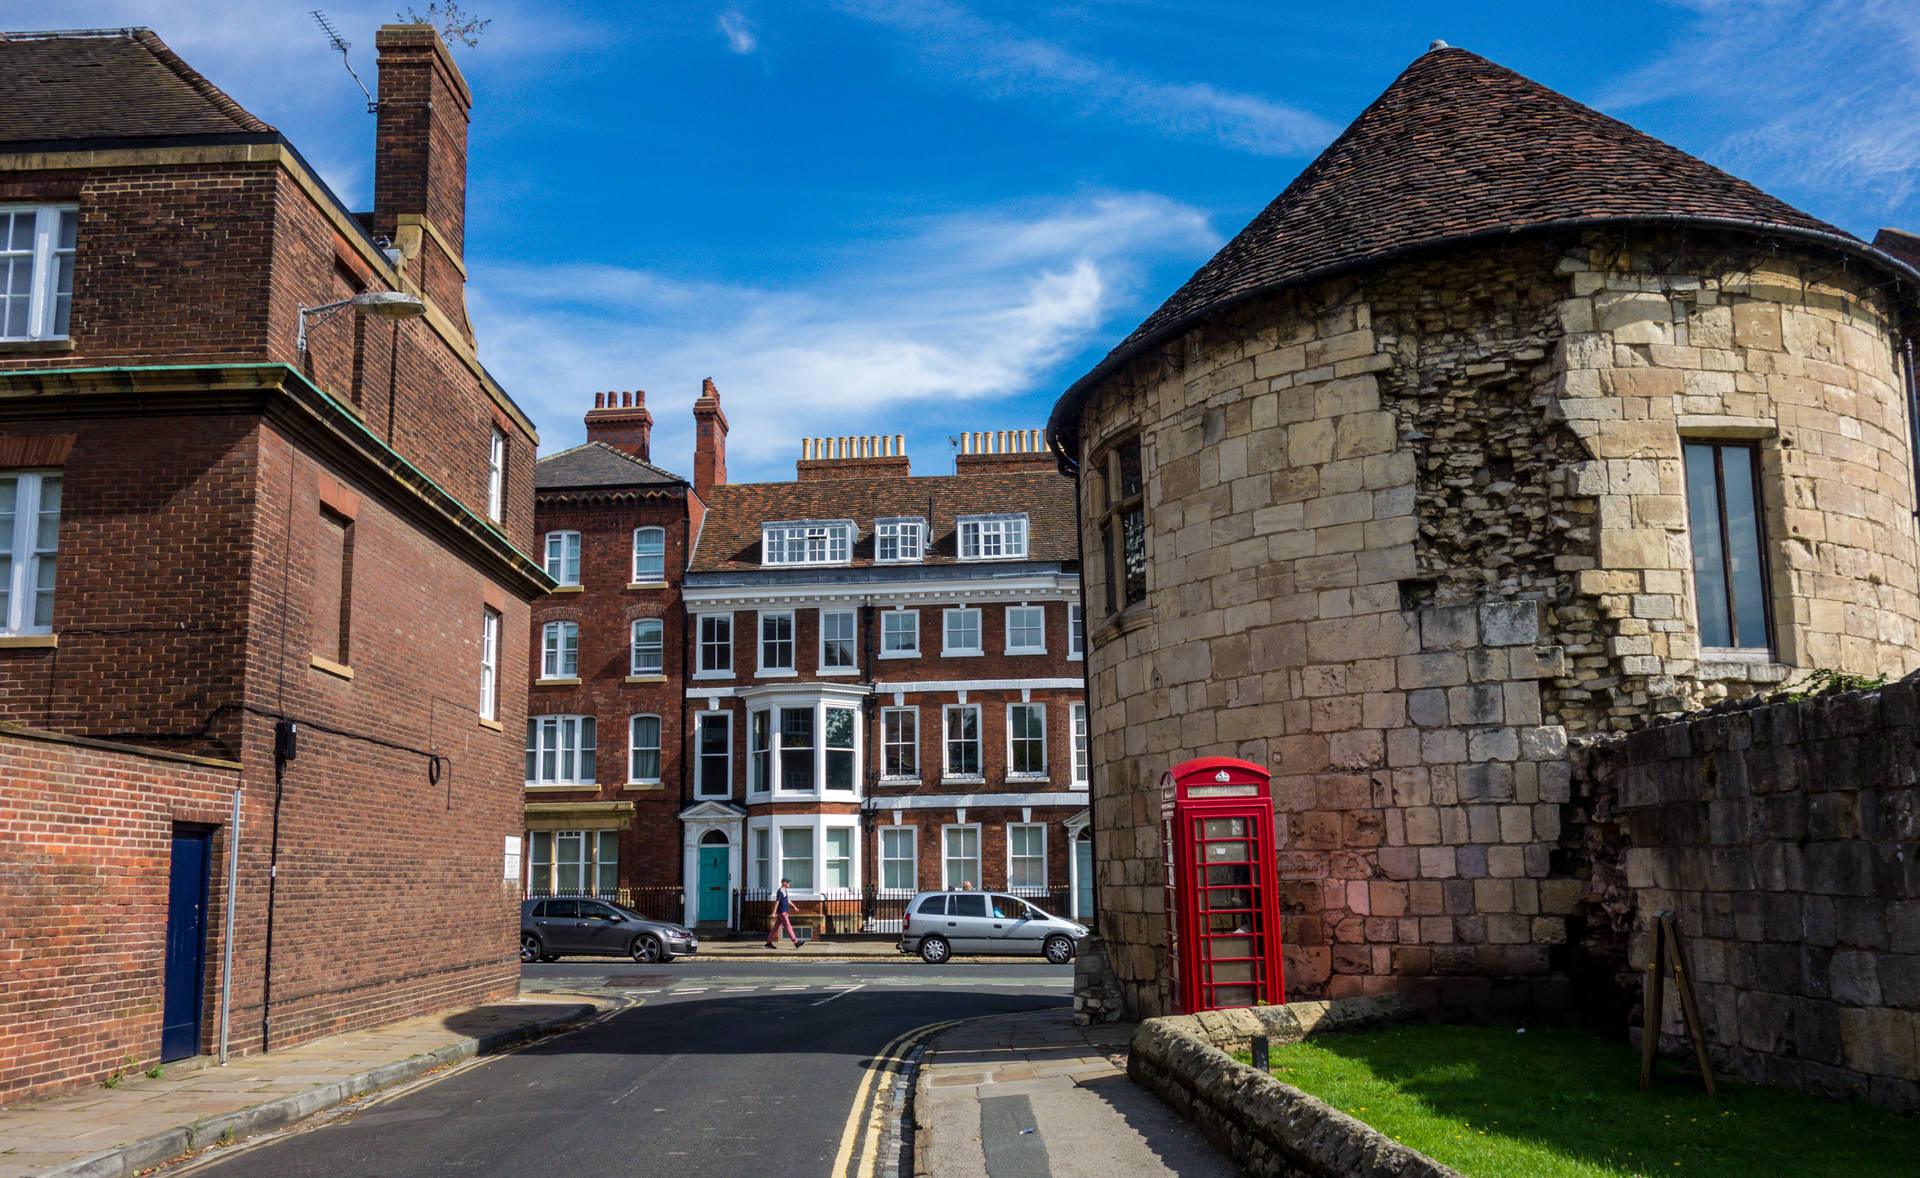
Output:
x,y
961,45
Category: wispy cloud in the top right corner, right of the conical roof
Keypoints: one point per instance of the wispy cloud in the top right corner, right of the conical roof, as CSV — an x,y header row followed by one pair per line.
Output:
x,y
1815,95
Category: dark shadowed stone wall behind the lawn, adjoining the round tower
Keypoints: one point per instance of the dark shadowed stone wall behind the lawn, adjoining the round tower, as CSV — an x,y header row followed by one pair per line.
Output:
x,y
1783,839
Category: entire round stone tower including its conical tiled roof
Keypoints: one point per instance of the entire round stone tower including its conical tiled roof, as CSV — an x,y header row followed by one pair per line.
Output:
x,y
1502,425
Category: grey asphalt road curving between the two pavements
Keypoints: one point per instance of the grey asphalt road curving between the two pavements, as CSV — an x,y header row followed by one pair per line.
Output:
x,y
723,1068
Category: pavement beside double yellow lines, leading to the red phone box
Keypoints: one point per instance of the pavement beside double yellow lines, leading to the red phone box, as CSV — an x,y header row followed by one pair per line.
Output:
x,y
1036,1096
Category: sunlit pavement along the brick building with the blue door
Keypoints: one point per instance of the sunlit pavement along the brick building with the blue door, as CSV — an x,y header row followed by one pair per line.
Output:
x,y
145,1121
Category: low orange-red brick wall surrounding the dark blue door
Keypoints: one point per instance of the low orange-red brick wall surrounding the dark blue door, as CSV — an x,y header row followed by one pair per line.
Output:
x,y
84,905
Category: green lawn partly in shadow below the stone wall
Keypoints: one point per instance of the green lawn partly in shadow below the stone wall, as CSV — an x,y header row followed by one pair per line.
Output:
x,y
1547,1104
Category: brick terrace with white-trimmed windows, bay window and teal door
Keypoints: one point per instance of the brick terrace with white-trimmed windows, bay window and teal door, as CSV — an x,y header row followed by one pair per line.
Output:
x,y
884,680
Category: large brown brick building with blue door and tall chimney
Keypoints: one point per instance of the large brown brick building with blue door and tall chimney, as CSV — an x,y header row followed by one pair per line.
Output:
x,y
224,513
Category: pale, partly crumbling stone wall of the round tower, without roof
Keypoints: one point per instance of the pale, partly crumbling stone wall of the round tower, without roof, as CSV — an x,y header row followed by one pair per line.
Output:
x,y
1408,532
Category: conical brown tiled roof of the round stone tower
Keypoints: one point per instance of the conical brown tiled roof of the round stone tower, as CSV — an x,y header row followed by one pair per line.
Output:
x,y
1456,149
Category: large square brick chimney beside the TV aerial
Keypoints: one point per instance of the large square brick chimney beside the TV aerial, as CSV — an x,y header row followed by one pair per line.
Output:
x,y
420,174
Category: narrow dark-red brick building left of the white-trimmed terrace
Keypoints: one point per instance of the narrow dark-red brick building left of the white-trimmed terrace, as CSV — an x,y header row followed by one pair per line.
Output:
x,y
608,655
